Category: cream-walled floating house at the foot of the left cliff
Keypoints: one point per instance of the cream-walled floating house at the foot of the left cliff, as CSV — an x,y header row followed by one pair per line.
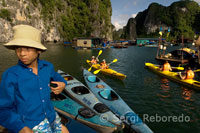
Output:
x,y
91,42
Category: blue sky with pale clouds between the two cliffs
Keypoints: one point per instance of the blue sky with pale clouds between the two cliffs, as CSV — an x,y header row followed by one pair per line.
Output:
x,y
122,10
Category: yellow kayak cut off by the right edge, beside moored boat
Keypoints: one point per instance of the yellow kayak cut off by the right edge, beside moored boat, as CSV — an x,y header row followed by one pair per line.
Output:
x,y
174,77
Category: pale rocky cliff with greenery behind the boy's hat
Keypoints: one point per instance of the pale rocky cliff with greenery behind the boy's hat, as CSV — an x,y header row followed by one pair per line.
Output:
x,y
58,19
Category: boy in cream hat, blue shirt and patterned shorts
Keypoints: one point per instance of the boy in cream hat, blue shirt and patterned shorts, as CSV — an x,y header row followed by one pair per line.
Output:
x,y
25,104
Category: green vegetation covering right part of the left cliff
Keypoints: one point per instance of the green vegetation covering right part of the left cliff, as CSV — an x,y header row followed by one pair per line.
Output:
x,y
77,18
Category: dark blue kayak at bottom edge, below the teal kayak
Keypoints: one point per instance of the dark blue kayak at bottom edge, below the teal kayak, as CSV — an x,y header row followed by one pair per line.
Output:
x,y
73,124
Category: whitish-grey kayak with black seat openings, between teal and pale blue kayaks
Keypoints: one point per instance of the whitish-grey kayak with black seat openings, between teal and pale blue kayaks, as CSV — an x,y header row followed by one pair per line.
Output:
x,y
80,93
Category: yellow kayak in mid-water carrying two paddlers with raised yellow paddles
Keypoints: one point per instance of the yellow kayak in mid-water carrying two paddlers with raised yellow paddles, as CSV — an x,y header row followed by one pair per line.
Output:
x,y
108,71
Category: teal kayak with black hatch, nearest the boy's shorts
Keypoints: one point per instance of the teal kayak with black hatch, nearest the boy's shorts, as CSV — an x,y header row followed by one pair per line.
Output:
x,y
69,108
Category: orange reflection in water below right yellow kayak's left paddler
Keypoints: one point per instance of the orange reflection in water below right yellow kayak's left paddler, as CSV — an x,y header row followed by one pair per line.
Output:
x,y
165,88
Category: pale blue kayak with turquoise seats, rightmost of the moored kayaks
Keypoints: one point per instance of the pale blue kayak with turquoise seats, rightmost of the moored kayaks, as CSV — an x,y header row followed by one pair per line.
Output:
x,y
114,102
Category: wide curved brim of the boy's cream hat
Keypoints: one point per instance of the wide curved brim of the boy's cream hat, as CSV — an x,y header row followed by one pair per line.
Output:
x,y
24,42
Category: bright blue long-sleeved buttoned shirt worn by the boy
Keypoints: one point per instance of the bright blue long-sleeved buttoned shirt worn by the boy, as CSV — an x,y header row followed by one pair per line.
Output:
x,y
25,97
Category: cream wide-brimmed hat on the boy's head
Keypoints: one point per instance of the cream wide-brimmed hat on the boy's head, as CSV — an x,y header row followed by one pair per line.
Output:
x,y
25,35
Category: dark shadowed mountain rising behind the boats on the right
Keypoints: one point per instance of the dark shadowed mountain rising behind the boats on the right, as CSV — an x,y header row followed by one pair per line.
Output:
x,y
182,17
